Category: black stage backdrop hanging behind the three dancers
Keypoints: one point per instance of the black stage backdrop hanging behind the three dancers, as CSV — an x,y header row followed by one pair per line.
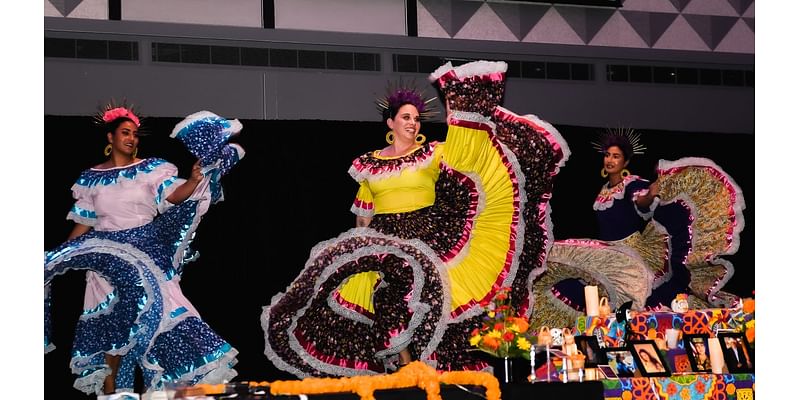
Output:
x,y
292,190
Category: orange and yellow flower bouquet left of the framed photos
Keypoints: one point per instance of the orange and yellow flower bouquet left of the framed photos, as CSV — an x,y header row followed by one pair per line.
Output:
x,y
503,333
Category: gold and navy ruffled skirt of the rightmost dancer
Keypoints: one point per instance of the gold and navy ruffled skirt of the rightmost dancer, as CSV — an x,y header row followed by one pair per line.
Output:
x,y
697,221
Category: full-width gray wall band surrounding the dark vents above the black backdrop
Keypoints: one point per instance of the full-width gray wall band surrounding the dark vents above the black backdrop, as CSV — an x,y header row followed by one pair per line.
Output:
x,y
75,86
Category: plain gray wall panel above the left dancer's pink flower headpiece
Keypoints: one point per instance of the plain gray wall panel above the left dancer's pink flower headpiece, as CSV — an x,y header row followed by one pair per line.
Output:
x,y
164,91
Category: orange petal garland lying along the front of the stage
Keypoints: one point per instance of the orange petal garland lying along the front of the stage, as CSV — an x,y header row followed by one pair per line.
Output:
x,y
415,374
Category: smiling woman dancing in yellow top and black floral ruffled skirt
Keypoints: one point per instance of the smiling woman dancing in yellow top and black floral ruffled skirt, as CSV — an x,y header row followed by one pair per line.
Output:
x,y
441,228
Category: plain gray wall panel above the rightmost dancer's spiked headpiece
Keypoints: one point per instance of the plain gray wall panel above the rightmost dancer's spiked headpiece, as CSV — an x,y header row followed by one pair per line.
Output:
x,y
702,109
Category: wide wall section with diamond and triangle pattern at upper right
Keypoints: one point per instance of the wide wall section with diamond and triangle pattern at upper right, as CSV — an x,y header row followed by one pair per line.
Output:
x,y
697,25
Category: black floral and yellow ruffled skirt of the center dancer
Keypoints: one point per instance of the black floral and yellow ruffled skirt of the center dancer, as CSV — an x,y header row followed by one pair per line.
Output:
x,y
417,280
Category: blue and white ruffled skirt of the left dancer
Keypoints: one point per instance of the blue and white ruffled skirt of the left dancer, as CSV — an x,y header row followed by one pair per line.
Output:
x,y
144,318
